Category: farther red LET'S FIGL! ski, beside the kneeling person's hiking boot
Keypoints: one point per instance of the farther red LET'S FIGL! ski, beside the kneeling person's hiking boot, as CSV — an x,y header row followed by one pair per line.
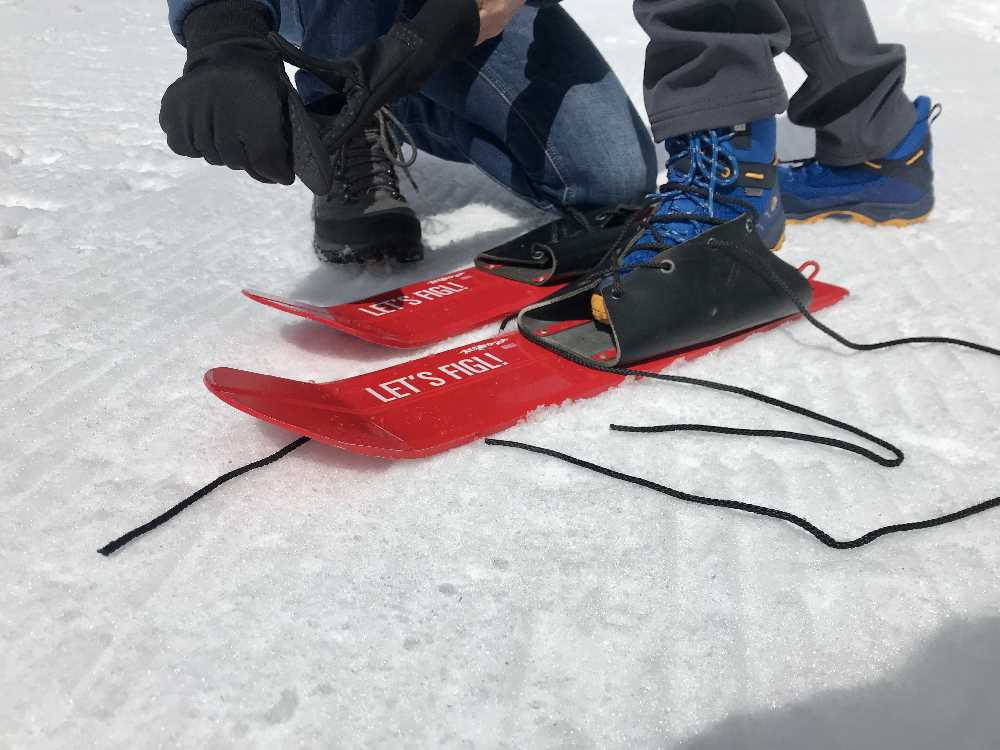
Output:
x,y
423,313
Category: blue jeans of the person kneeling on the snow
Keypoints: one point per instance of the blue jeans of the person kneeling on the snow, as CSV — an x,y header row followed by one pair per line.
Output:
x,y
538,109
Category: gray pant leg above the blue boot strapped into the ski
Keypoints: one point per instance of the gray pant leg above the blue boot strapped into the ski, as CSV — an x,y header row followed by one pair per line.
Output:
x,y
710,63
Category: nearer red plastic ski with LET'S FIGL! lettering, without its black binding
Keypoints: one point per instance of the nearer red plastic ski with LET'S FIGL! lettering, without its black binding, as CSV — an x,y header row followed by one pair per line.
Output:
x,y
432,404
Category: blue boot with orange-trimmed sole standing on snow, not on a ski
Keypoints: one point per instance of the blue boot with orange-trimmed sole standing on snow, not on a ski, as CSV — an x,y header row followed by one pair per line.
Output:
x,y
897,190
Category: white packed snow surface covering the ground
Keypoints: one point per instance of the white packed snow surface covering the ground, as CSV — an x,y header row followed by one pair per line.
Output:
x,y
483,598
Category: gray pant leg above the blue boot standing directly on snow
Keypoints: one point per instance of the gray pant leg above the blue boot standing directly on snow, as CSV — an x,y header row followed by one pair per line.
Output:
x,y
854,94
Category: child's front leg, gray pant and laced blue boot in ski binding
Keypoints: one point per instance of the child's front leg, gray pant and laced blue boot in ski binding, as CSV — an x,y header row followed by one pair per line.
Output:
x,y
712,92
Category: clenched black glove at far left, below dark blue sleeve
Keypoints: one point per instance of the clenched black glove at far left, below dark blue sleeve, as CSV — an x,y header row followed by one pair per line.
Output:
x,y
235,106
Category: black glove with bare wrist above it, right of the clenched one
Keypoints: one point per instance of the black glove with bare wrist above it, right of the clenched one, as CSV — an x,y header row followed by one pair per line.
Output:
x,y
391,66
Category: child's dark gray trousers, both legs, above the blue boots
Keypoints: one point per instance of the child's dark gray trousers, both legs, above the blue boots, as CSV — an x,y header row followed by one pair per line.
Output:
x,y
710,63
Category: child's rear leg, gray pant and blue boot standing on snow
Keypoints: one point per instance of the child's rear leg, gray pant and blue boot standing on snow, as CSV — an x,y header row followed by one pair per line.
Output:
x,y
873,145
